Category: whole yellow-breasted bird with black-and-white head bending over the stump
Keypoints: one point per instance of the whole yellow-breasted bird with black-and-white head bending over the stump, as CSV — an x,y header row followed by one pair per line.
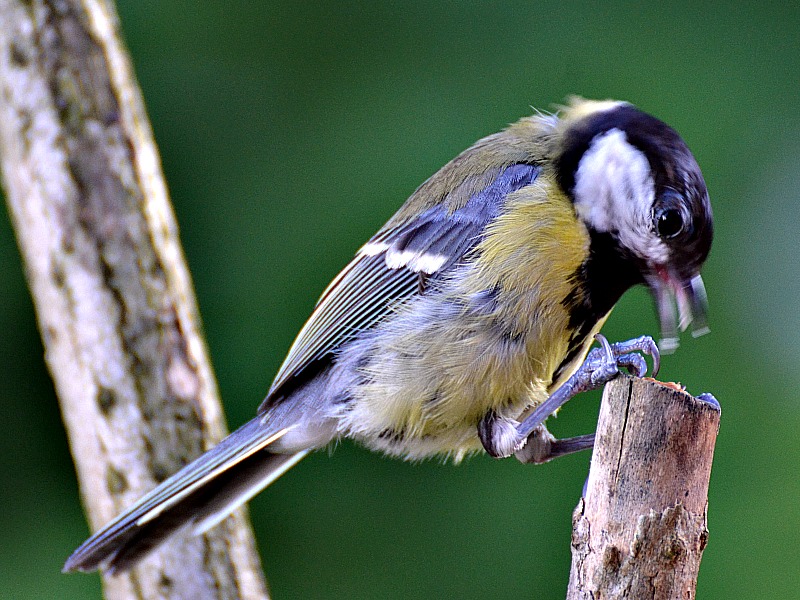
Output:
x,y
470,316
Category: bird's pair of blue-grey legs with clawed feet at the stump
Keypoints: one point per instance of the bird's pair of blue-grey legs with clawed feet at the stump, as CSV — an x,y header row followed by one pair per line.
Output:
x,y
503,437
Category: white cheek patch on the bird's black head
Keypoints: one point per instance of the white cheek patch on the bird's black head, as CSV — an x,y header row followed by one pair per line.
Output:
x,y
614,192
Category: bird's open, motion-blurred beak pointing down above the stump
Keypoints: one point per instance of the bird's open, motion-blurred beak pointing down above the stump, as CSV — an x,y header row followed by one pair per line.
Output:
x,y
689,294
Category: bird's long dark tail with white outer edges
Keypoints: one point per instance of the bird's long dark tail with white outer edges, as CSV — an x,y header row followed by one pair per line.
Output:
x,y
198,496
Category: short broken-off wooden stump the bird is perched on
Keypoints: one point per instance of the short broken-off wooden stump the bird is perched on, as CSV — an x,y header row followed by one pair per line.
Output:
x,y
640,529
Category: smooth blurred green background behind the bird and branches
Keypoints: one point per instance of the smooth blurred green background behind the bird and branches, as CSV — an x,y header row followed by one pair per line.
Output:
x,y
290,131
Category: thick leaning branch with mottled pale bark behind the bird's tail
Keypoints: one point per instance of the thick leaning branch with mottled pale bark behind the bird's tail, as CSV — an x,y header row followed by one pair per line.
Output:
x,y
112,292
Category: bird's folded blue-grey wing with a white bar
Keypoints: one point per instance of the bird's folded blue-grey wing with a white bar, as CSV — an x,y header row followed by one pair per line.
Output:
x,y
392,267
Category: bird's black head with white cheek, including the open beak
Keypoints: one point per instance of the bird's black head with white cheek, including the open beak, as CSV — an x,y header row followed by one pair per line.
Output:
x,y
639,190
